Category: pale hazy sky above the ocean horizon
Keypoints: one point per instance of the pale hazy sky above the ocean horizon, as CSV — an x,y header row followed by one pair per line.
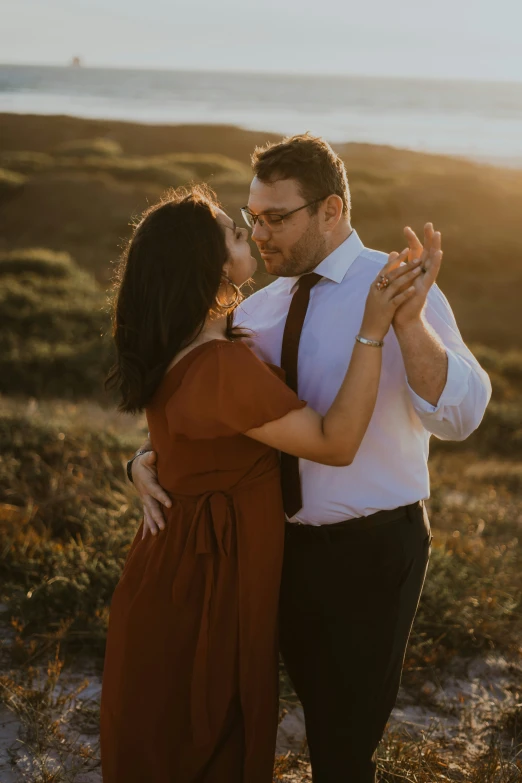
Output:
x,y
479,39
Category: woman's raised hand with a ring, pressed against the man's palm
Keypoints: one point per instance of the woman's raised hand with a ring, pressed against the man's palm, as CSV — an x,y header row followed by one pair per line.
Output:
x,y
392,287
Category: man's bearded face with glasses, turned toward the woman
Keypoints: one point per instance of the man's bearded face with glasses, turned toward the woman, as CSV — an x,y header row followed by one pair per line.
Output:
x,y
299,244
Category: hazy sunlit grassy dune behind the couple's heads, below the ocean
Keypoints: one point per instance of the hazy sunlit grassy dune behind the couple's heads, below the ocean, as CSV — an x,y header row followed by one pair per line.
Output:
x,y
82,180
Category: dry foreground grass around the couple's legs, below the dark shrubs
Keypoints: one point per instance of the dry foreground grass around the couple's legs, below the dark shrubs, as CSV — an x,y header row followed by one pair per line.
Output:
x,y
67,517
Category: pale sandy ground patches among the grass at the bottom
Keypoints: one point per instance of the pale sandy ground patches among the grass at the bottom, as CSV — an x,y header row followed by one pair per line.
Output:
x,y
459,709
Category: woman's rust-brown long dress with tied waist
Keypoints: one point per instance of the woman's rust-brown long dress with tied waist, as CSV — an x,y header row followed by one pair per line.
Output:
x,y
190,680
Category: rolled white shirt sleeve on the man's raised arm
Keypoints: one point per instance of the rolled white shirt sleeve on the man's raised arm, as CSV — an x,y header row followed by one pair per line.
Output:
x,y
467,392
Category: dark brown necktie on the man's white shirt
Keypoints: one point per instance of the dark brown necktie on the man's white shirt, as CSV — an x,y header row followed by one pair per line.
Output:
x,y
289,355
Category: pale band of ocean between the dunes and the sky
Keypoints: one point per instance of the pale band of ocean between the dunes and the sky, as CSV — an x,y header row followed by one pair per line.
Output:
x,y
482,121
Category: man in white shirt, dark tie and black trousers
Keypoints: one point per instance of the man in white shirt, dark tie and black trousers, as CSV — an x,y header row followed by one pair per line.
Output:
x,y
358,538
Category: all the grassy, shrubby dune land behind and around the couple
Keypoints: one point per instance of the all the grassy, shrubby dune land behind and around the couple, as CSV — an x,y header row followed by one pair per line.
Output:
x,y
69,190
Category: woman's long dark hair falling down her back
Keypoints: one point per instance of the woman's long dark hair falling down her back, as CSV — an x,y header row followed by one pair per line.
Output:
x,y
166,284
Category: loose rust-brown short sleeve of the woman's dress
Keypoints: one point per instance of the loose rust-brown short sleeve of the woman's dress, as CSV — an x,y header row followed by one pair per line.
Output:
x,y
226,391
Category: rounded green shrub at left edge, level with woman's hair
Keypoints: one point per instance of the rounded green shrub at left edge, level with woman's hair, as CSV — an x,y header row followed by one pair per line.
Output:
x,y
54,327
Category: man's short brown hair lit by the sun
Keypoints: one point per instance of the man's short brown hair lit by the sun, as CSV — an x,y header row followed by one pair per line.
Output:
x,y
308,159
